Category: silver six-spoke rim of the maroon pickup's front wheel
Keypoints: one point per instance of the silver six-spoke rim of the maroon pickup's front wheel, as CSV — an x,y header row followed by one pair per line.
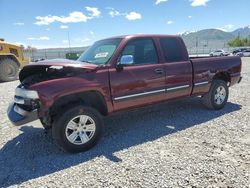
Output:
x,y
80,129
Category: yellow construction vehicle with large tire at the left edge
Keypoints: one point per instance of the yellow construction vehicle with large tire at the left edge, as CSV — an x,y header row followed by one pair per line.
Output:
x,y
11,60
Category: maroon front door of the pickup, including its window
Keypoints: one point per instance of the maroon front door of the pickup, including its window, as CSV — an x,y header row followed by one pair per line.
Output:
x,y
142,82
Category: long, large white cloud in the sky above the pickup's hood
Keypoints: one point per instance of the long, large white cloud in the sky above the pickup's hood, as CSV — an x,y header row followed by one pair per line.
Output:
x,y
73,17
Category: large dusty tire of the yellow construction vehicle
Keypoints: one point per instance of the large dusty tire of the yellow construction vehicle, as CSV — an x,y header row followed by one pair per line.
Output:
x,y
8,70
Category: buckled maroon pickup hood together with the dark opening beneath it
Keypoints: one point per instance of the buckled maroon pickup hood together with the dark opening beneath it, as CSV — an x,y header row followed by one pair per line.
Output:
x,y
56,68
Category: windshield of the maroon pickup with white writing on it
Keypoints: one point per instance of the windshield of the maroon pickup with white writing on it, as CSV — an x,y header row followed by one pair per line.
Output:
x,y
100,52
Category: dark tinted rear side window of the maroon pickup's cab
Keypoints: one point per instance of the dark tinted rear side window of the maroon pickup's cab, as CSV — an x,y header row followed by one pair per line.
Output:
x,y
172,49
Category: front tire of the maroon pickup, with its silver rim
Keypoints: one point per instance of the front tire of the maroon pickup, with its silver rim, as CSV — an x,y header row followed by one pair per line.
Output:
x,y
71,133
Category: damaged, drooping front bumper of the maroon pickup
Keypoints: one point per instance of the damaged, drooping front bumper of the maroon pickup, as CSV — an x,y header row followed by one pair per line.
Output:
x,y
19,116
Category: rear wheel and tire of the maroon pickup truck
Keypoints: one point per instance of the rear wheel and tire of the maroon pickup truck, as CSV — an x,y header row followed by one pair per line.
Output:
x,y
213,99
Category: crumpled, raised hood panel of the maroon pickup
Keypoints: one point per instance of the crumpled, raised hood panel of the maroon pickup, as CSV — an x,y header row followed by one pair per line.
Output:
x,y
41,67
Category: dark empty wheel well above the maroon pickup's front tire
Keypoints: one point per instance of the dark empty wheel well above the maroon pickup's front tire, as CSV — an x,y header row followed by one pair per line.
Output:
x,y
93,99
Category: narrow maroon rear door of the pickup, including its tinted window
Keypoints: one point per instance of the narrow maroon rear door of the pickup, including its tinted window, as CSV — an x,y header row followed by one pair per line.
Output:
x,y
177,66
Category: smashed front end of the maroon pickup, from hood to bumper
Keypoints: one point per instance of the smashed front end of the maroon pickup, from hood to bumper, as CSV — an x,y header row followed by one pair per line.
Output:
x,y
26,105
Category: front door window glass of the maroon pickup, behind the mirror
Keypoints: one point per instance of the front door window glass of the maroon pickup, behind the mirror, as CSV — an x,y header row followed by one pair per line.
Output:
x,y
143,51
